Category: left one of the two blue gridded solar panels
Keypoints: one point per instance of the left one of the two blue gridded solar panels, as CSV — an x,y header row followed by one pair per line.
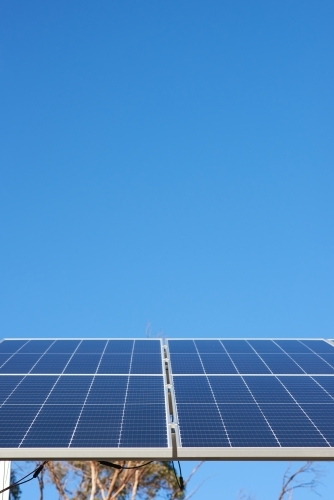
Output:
x,y
81,394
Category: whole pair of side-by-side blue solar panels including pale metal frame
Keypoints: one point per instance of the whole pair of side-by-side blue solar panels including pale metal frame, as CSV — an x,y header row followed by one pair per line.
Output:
x,y
184,398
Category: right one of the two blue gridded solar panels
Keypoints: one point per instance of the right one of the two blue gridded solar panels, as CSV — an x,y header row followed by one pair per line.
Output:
x,y
253,393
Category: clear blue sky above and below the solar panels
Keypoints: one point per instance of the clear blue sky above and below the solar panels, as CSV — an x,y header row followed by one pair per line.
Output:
x,y
169,162
